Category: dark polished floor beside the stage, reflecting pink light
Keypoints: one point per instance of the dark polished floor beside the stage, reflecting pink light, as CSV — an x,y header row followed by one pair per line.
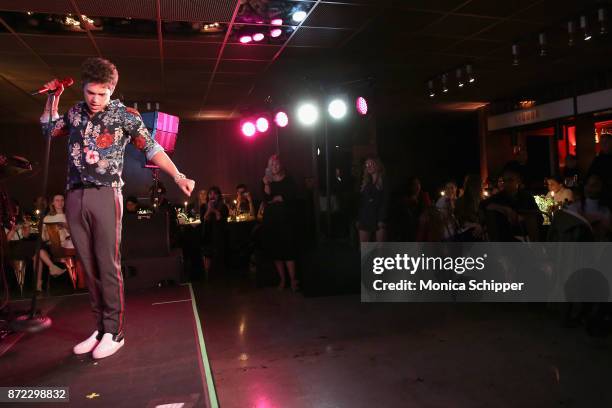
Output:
x,y
281,350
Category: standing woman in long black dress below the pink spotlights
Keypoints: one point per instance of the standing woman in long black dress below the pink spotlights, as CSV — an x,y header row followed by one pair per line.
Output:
x,y
279,237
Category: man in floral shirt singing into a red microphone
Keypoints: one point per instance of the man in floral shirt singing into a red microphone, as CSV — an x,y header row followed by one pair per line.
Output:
x,y
98,131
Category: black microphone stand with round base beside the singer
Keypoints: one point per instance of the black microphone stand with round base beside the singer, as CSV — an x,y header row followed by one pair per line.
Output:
x,y
34,321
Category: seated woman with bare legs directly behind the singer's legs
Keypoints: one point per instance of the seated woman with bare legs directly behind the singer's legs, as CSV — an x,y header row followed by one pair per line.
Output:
x,y
56,217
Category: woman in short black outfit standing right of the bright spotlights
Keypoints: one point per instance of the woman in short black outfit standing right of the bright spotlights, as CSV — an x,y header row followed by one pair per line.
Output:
x,y
373,199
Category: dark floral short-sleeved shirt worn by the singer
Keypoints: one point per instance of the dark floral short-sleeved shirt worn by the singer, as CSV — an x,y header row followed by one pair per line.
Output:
x,y
96,144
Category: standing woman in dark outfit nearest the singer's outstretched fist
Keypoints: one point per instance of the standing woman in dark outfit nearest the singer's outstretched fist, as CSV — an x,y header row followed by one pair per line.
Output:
x,y
213,216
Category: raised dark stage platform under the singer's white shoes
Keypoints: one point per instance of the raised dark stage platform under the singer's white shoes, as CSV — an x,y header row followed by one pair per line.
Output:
x,y
161,363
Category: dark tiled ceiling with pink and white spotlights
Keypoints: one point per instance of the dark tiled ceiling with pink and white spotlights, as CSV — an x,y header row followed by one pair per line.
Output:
x,y
389,49
